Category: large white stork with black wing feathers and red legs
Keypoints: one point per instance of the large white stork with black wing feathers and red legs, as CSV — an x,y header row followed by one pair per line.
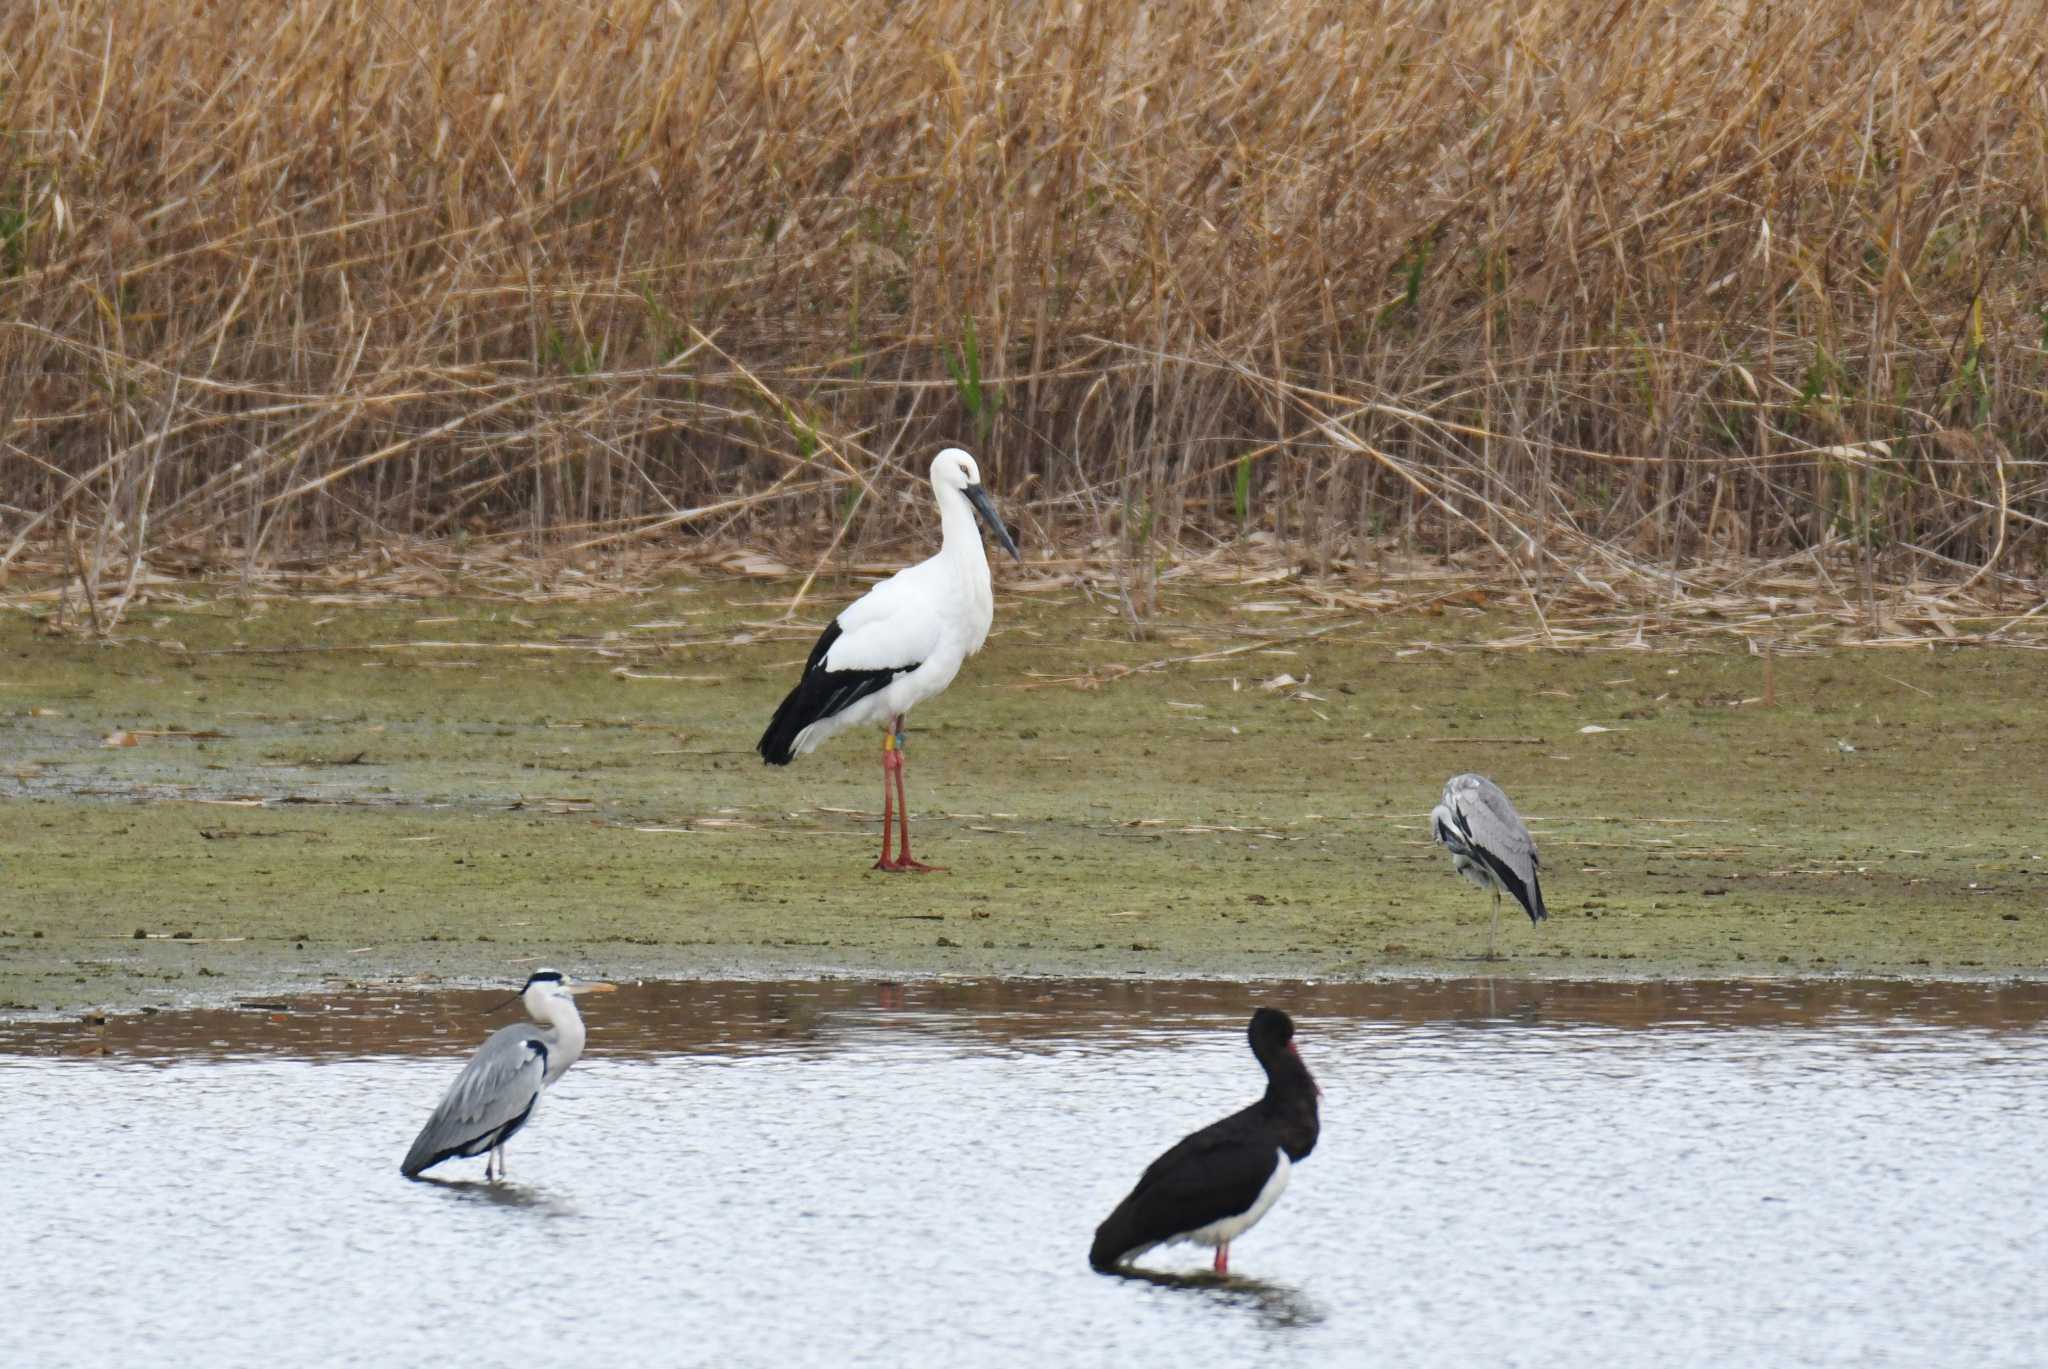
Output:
x,y
900,645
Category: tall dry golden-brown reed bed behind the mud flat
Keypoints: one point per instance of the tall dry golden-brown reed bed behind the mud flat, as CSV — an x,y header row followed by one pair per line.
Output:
x,y
1596,290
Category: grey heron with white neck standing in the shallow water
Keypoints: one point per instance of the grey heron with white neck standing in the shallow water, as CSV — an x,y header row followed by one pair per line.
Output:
x,y
499,1089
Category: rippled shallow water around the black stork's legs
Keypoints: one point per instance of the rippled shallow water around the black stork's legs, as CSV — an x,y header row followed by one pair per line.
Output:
x,y
861,1173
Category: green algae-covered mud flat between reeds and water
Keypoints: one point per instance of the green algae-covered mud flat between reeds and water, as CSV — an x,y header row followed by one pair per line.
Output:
x,y
456,788
